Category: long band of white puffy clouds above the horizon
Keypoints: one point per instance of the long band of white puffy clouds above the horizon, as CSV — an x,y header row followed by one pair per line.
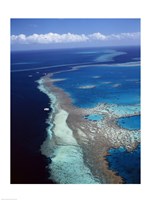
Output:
x,y
69,38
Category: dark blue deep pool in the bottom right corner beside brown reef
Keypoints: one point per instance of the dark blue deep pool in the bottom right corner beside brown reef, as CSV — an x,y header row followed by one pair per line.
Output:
x,y
126,164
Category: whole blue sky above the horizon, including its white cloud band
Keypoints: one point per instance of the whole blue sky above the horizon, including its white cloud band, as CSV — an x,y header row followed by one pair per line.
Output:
x,y
28,34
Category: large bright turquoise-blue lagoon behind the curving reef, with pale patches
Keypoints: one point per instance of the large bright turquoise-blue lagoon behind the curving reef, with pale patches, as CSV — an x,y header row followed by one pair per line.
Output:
x,y
112,85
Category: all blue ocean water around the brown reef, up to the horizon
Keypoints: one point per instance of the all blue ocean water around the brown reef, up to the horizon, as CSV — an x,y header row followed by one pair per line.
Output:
x,y
108,76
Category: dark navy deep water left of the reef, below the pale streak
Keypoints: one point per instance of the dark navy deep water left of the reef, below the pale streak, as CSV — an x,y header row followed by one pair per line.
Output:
x,y
27,130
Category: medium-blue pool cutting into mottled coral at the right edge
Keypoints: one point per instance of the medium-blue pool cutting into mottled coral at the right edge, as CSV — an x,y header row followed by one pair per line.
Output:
x,y
130,123
